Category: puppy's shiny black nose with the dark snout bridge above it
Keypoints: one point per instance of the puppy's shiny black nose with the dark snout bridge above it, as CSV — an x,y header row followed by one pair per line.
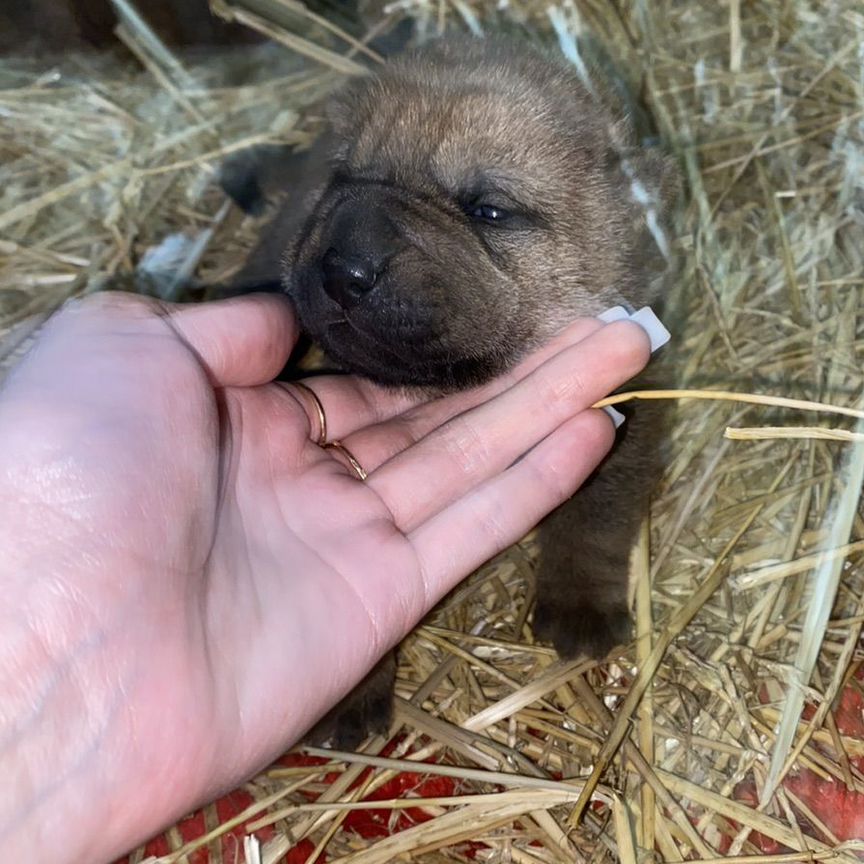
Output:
x,y
360,241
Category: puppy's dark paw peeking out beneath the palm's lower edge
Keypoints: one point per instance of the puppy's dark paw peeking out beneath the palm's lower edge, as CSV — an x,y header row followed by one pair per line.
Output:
x,y
366,710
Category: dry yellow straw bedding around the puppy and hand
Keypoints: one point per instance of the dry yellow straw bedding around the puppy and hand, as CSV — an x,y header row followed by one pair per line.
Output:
x,y
733,726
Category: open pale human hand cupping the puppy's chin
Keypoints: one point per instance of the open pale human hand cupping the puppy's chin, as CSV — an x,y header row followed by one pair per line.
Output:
x,y
187,581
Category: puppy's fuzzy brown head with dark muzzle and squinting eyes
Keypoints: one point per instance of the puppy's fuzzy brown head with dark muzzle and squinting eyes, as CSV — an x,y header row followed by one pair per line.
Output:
x,y
475,200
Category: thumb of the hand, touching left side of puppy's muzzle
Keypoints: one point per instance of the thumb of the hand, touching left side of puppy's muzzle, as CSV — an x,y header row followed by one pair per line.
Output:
x,y
241,342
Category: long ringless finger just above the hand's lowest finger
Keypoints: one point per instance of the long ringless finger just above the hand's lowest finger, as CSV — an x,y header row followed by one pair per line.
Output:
x,y
482,442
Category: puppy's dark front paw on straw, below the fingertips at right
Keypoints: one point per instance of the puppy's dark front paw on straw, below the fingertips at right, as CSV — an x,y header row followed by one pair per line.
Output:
x,y
583,628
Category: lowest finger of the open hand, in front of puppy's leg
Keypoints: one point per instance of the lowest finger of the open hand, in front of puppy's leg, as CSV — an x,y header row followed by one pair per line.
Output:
x,y
499,512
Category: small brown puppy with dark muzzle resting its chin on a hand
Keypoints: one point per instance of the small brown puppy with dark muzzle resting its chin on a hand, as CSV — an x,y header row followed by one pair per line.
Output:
x,y
465,204
